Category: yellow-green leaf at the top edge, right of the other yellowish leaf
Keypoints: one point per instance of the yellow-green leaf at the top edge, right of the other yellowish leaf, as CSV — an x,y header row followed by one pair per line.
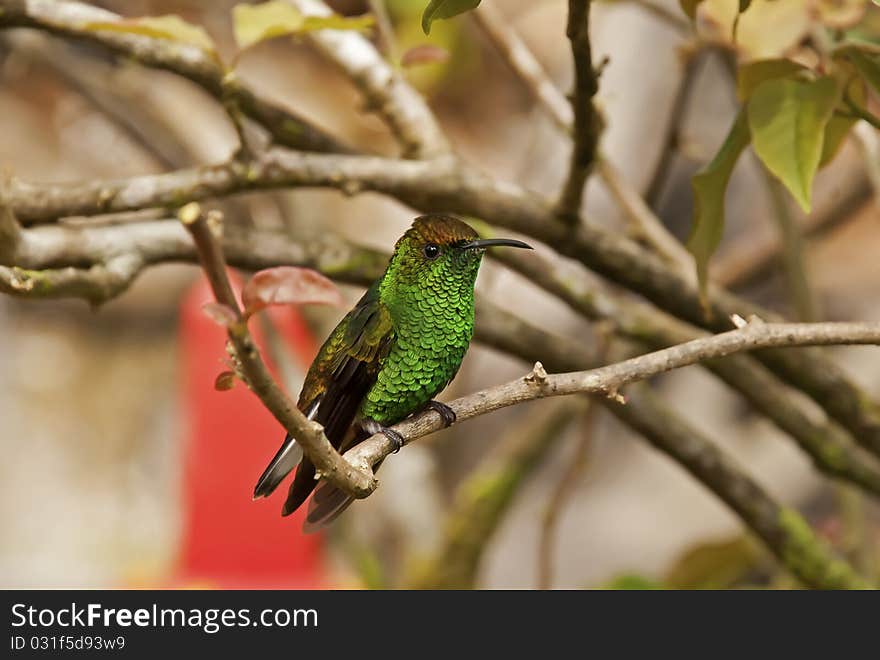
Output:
x,y
255,23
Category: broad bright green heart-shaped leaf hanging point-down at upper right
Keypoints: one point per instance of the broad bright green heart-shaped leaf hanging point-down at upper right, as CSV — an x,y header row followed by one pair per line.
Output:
x,y
787,119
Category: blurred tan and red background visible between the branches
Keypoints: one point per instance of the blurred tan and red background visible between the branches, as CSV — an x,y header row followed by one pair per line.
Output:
x,y
122,466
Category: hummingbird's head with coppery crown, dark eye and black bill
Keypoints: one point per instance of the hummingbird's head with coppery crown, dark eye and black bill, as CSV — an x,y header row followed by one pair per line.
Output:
x,y
438,253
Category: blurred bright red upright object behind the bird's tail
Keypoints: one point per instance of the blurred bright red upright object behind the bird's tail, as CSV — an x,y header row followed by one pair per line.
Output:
x,y
229,540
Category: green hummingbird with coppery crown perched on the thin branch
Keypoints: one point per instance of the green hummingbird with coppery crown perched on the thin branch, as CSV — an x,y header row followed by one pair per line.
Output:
x,y
400,346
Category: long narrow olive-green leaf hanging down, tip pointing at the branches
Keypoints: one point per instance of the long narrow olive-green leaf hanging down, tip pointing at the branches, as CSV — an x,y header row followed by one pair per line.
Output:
x,y
709,186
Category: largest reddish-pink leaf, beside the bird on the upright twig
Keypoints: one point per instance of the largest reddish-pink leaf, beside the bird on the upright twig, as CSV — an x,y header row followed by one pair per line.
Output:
x,y
288,285
